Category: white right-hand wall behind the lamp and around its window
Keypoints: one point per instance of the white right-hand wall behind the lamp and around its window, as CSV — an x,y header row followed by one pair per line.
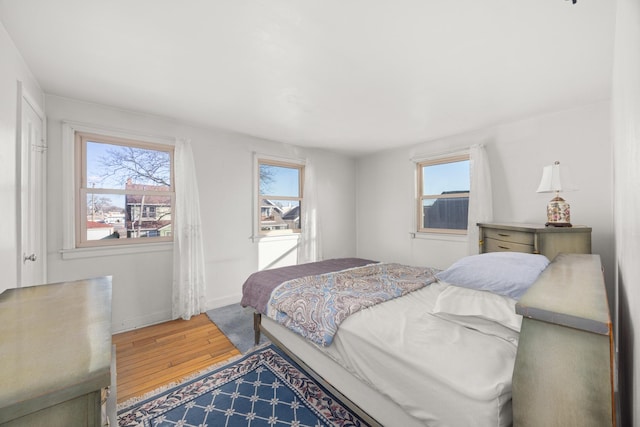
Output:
x,y
578,138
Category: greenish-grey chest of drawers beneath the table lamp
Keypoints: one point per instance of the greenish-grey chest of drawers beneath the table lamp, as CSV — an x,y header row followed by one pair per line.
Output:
x,y
534,239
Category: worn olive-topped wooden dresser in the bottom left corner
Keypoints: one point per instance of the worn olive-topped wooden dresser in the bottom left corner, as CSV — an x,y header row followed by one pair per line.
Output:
x,y
55,353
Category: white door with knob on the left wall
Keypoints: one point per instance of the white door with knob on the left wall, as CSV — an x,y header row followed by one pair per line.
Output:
x,y
32,253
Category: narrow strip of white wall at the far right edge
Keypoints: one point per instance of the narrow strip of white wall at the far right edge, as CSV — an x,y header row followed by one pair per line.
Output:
x,y
627,204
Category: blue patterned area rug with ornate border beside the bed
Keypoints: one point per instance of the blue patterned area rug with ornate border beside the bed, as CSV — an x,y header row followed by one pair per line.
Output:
x,y
263,388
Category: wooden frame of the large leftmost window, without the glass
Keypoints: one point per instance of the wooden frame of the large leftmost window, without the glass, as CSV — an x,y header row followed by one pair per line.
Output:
x,y
81,189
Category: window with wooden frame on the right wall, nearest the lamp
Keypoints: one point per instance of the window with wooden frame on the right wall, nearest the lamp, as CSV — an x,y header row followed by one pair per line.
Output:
x,y
443,195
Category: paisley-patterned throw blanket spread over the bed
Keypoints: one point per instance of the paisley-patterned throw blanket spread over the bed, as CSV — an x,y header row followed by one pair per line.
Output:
x,y
314,306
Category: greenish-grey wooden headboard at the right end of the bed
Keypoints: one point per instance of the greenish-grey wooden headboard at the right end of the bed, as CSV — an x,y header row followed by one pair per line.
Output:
x,y
564,373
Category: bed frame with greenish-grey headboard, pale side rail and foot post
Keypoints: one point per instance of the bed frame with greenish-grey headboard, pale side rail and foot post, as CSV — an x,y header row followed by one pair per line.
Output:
x,y
563,375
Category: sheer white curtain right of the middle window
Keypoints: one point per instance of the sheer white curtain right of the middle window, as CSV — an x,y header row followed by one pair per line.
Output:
x,y
309,243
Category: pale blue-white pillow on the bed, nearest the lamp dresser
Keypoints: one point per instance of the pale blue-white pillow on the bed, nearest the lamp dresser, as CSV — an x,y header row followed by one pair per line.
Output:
x,y
504,273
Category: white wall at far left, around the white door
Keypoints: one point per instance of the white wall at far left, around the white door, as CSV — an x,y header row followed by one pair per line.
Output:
x,y
12,69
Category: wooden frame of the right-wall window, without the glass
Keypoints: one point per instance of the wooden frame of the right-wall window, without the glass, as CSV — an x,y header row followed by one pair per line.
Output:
x,y
453,158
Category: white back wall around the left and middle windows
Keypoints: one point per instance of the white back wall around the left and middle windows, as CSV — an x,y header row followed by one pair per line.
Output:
x,y
224,168
